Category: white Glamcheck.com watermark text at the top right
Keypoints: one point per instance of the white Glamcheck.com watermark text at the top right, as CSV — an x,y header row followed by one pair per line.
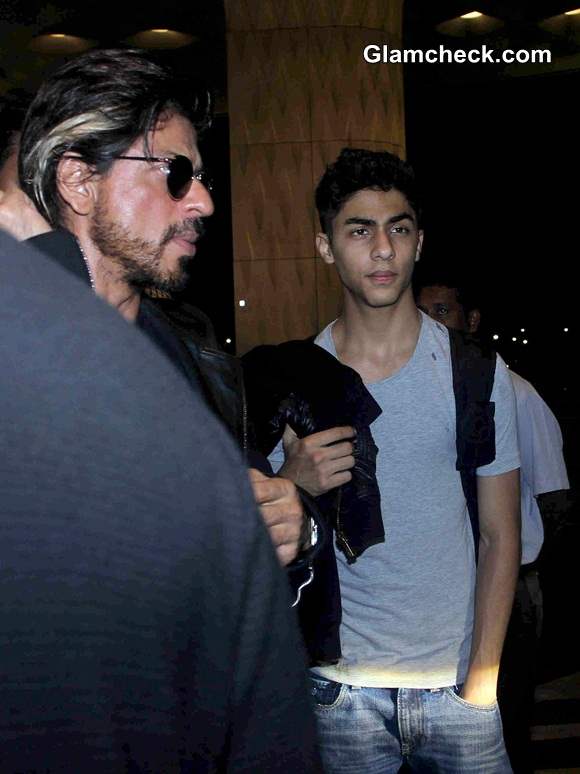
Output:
x,y
374,54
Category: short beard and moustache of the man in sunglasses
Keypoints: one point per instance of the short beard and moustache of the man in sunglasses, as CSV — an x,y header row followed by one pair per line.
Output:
x,y
141,260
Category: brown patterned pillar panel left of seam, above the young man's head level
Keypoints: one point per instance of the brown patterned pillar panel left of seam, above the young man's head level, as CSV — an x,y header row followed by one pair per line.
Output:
x,y
266,78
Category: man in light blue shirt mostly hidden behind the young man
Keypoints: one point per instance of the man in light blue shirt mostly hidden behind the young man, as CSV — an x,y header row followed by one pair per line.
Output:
x,y
544,498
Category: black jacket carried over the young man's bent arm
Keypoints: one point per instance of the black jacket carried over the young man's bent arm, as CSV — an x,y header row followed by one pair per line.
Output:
x,y
300,384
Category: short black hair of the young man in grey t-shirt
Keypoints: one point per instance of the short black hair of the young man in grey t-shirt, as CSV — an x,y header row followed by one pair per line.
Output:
x,y
356,169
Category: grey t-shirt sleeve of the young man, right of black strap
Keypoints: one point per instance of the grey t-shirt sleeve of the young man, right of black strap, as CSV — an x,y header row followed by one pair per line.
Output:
x,y
507,456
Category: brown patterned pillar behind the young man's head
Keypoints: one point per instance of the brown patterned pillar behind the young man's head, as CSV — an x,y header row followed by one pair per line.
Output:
x,y
299,90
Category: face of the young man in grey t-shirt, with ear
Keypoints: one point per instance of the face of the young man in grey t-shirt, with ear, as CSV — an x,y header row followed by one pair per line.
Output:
x,y
375,244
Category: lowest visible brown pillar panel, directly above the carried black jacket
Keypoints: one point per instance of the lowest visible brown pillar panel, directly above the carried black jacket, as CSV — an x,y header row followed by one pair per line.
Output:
x,y
280,301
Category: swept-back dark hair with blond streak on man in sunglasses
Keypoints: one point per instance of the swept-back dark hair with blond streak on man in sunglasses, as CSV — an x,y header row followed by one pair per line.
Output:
x,y
96,106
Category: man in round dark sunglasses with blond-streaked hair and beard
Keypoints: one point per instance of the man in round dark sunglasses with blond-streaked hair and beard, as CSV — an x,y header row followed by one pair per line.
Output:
x,y
109,156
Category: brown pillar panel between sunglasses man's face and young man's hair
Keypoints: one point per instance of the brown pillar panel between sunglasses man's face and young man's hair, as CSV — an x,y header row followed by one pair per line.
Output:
x,y
272,192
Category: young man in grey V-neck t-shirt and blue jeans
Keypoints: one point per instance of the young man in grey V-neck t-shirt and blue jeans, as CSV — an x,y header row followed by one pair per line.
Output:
x,y
422,623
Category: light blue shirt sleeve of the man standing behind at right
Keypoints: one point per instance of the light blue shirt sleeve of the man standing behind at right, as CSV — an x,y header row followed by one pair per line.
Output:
x,y
543,466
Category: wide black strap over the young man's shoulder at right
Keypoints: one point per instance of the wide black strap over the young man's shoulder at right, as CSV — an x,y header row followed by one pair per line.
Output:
x,y
473,367
